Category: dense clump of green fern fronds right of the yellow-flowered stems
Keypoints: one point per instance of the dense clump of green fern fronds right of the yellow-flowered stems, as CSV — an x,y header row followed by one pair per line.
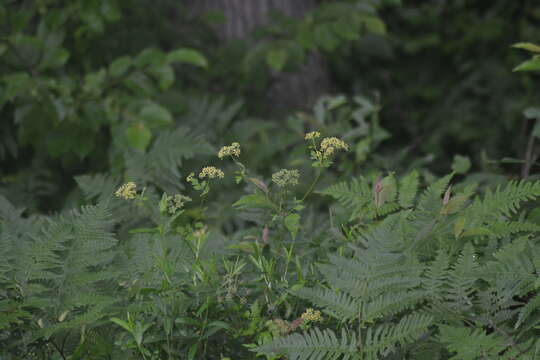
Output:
x,y
412,283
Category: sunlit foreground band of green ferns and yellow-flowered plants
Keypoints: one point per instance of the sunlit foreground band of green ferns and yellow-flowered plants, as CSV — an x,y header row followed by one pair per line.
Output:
x,y
396,267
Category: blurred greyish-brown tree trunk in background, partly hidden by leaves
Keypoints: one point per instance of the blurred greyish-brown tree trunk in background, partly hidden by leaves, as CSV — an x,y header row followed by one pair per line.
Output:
x,y
288,90
